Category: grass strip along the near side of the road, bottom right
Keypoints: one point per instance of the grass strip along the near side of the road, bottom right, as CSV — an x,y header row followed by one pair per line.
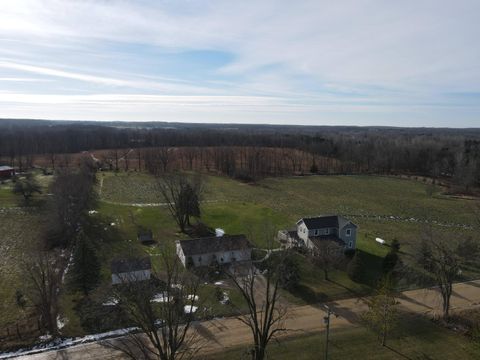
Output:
x,y
417,338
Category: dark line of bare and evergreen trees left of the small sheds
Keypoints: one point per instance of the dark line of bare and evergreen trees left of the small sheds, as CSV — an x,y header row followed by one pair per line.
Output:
x,y
64,242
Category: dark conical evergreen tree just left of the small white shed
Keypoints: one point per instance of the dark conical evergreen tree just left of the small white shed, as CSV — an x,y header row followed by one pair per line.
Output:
x,y
86,266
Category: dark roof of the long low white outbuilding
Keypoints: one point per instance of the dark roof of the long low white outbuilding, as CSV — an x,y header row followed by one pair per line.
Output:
x,y
207,245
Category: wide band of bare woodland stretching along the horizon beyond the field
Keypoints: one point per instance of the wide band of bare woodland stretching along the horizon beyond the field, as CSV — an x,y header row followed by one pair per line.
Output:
x,y
445,153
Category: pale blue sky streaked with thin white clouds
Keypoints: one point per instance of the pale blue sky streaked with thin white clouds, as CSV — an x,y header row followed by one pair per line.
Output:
x,y
337,62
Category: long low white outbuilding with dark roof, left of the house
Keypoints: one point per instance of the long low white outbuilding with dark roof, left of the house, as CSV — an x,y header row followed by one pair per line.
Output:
x,y
214,250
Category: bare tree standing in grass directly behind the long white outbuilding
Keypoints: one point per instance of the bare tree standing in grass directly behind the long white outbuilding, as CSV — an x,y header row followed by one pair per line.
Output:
x,y
182,195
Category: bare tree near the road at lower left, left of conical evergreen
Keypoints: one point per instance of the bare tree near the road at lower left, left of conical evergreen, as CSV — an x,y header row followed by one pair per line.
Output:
x,y
43,274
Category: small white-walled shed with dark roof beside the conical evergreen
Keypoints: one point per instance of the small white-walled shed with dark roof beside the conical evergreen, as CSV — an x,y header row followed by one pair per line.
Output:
x,y
131,270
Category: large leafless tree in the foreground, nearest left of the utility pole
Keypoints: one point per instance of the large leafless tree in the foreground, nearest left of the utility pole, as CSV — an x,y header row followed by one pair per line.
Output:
x,y
266,315
